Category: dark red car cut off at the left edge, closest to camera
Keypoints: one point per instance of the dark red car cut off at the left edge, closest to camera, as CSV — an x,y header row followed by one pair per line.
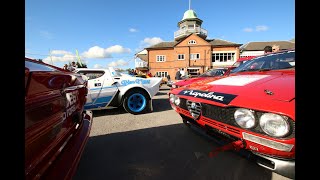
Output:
x,y
56,125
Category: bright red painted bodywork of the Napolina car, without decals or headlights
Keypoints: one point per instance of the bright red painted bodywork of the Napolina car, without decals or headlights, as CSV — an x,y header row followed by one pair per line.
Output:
x,y
251,96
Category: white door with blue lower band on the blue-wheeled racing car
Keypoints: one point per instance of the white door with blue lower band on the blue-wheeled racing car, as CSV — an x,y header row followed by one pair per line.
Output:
x,y
101,88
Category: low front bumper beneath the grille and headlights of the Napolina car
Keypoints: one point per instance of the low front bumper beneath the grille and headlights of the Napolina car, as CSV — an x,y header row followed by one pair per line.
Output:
x,y
280,166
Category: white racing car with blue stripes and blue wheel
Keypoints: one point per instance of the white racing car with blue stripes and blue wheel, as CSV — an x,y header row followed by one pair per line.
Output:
x,y
109,88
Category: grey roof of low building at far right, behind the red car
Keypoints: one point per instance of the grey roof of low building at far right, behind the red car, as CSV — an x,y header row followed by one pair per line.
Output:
x,y
259,46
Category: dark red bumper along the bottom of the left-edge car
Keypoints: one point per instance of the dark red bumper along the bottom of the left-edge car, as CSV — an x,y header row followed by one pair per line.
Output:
x,y
65,165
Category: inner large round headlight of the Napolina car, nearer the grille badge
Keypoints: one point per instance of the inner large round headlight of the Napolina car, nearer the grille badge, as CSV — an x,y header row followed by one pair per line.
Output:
x,y
244,118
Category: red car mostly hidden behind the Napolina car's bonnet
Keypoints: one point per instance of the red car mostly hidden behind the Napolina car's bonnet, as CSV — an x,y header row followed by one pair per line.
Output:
x,y
210,73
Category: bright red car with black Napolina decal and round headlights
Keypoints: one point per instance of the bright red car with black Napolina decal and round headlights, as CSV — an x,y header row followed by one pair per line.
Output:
x,y
254,108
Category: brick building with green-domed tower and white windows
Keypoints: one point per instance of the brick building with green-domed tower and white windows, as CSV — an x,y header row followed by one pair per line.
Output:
x,y
190,50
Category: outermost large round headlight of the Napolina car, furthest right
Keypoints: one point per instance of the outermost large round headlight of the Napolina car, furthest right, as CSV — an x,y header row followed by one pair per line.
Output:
x,y
274,125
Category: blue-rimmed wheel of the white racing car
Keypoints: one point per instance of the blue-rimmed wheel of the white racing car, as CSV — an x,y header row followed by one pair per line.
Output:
x,y
136,102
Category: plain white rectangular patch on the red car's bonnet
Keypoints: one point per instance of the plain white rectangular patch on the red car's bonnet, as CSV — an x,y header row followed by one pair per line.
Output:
x,y
240,80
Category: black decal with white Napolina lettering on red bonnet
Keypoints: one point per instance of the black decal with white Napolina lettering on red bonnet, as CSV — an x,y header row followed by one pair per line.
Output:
x,y
212,96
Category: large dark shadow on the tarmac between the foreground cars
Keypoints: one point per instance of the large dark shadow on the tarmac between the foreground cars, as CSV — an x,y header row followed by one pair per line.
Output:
x,y
167,152
